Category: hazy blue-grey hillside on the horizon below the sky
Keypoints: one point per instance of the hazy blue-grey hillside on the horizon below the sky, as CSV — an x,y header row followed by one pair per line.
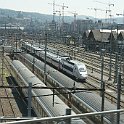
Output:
x,y
24,18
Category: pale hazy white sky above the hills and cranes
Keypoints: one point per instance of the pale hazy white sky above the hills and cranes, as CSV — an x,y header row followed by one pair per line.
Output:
x,y
81,7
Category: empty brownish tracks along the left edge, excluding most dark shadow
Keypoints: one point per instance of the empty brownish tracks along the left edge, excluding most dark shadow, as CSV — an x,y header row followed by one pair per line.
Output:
x,y
8,105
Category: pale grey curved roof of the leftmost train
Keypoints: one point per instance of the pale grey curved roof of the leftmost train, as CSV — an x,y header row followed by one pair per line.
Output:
x,y
59,108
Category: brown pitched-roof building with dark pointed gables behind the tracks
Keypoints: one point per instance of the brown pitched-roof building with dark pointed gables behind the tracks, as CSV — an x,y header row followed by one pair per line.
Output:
x,y
96,40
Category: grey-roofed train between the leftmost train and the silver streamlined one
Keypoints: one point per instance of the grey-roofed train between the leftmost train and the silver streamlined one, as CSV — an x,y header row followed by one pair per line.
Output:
x,y
84,101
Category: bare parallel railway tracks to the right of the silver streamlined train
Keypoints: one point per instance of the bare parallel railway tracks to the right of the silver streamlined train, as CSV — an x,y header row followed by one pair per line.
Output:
x,y
93,64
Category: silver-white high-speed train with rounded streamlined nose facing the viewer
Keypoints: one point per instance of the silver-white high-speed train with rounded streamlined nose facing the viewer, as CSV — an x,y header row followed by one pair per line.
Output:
x,y
65,63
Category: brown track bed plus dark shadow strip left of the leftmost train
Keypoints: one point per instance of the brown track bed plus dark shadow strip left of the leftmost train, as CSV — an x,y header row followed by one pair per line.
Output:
x,y
12,103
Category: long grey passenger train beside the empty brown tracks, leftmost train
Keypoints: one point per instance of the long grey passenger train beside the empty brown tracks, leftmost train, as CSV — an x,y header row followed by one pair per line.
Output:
x,y
43,105
